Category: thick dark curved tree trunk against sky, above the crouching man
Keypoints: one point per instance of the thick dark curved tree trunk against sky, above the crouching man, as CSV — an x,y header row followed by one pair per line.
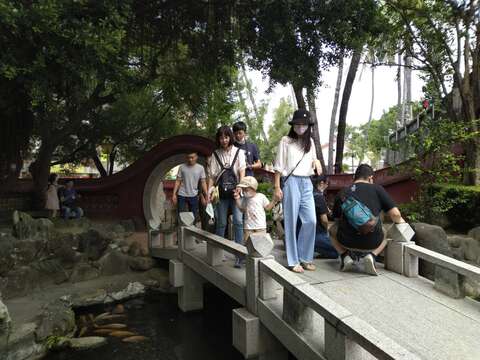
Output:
x,y
342,119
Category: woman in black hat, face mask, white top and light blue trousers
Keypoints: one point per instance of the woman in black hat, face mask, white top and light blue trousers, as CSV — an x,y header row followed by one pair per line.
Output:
x,y
296,161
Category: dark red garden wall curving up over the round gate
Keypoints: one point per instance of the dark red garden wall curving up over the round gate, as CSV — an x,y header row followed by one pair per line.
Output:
x,y
121,195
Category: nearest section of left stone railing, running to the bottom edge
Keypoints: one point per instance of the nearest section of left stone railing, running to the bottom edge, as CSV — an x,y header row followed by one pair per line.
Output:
x,y
341,326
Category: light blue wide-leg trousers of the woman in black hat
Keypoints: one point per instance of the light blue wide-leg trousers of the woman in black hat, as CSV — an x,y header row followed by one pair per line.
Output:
x,y
298,203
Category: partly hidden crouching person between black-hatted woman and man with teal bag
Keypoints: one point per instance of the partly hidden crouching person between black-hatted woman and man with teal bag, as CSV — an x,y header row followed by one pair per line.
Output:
x,y
323,245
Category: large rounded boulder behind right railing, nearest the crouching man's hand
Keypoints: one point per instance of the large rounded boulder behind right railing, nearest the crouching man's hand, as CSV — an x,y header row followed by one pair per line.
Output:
x,y
434,238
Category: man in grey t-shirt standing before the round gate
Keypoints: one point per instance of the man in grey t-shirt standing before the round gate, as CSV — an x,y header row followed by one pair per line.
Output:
x,y
185,193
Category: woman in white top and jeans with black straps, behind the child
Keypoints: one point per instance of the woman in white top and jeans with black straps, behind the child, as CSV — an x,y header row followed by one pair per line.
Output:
x,y
226,167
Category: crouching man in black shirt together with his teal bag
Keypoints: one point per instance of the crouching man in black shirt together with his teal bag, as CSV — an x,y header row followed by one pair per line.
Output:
x,y
359,228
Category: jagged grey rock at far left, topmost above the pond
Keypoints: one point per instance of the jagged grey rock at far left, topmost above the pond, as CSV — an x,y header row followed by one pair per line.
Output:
x,y
26,227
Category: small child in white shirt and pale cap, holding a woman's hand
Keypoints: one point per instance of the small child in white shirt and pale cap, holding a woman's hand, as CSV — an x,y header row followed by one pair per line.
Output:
x,y
253,205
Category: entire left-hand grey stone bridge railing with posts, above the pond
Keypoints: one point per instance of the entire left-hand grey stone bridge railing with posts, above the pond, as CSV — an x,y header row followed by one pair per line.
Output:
x,y
281,310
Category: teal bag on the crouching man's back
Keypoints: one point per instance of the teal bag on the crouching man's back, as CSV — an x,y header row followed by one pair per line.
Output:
x,y
358,214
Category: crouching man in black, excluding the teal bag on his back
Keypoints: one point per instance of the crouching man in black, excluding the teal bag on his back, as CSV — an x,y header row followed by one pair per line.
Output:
x,y
346,238
